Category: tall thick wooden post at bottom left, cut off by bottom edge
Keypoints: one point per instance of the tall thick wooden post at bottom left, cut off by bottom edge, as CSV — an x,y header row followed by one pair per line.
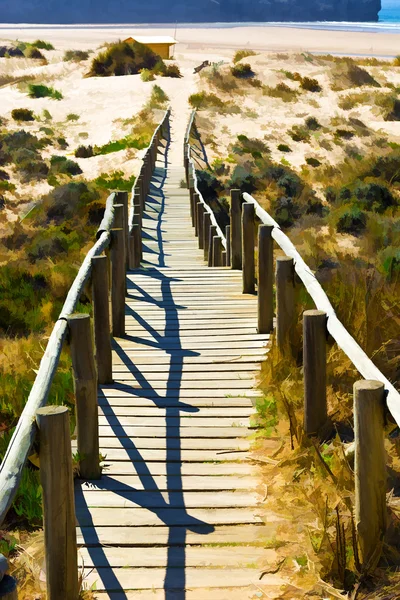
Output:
x,y
58,503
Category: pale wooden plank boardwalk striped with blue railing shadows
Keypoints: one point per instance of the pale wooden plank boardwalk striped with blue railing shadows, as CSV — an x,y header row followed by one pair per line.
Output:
x,y
175,514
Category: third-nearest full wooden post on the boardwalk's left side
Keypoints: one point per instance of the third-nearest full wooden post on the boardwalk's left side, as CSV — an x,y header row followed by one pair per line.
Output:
x,y
101,313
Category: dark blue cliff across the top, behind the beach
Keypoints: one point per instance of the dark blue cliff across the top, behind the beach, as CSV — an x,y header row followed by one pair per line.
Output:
x,y
163,11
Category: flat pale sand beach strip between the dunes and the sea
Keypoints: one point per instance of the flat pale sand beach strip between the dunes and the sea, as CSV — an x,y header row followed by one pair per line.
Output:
x,y
214,39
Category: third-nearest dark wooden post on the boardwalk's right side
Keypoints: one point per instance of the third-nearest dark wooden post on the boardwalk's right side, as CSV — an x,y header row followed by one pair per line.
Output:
x,y
285,311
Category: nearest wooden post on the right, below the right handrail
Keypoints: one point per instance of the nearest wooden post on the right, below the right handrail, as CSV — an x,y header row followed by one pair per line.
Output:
x,y
369,471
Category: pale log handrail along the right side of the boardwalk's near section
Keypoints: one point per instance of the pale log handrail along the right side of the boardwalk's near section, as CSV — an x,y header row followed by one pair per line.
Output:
x,y
344,340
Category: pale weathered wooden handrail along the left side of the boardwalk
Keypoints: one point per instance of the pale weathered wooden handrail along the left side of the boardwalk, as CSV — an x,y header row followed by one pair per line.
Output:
x,y
21,442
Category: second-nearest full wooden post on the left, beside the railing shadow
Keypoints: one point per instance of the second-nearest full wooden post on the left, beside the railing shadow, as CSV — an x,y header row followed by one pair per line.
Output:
x,y
85,387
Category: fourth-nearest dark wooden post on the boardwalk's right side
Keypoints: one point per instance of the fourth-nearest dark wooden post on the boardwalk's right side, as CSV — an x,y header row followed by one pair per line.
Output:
x,y
265,279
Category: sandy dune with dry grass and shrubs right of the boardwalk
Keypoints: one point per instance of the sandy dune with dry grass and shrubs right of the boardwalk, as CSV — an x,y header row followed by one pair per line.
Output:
x,y
330,177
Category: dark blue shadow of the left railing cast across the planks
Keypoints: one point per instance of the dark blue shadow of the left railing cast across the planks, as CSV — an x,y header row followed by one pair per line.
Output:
x,y
171,513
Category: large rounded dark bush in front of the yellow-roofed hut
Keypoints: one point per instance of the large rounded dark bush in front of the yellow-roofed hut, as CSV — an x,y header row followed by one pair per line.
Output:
x,y
123,58
